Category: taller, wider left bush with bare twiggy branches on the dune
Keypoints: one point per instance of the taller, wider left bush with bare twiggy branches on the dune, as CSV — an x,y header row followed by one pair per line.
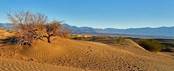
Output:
x,y
28,26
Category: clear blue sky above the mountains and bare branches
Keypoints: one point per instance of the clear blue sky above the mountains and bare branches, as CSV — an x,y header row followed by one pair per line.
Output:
x,y
98,13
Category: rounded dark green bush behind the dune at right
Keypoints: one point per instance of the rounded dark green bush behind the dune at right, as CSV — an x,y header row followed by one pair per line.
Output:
x,y
151,45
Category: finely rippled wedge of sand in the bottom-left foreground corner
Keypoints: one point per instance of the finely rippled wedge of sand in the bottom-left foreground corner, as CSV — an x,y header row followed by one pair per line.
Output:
x,y
16,65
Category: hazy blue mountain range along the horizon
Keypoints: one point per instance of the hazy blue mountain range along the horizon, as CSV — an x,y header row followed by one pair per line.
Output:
x,y
160,32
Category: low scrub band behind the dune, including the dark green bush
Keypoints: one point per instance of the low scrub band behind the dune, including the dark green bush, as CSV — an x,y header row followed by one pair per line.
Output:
x,y
148,44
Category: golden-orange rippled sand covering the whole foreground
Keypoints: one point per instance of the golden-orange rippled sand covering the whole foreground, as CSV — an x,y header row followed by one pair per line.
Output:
x,y
72,55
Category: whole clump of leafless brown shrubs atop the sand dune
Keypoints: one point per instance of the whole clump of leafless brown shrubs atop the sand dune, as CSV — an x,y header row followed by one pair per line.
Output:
x,y
34,26
